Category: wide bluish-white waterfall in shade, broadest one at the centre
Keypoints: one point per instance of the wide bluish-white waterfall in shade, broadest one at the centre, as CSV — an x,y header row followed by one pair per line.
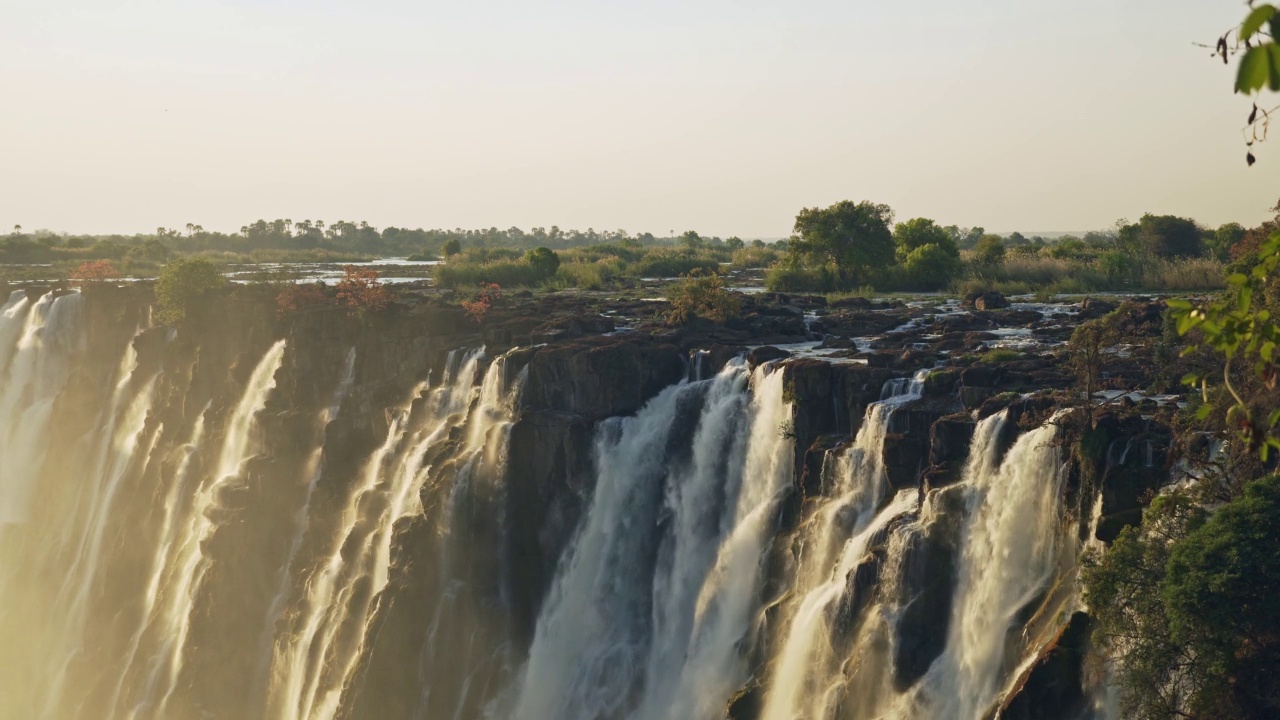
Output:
x,y
659,594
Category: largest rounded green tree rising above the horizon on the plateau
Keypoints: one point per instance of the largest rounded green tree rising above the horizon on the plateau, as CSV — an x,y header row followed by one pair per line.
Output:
x,y
856,239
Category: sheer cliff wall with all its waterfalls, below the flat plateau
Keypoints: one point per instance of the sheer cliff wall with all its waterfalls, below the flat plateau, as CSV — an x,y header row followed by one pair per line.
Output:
x,y
817,512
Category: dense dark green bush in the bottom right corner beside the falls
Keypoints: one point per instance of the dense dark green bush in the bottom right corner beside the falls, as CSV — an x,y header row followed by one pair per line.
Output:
x,y
1188,603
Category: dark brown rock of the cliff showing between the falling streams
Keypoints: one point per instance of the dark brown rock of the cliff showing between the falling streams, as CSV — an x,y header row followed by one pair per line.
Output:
x,y
573,379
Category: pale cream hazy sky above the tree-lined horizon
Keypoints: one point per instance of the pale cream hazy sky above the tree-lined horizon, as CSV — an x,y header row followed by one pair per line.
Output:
x,y
717,116
